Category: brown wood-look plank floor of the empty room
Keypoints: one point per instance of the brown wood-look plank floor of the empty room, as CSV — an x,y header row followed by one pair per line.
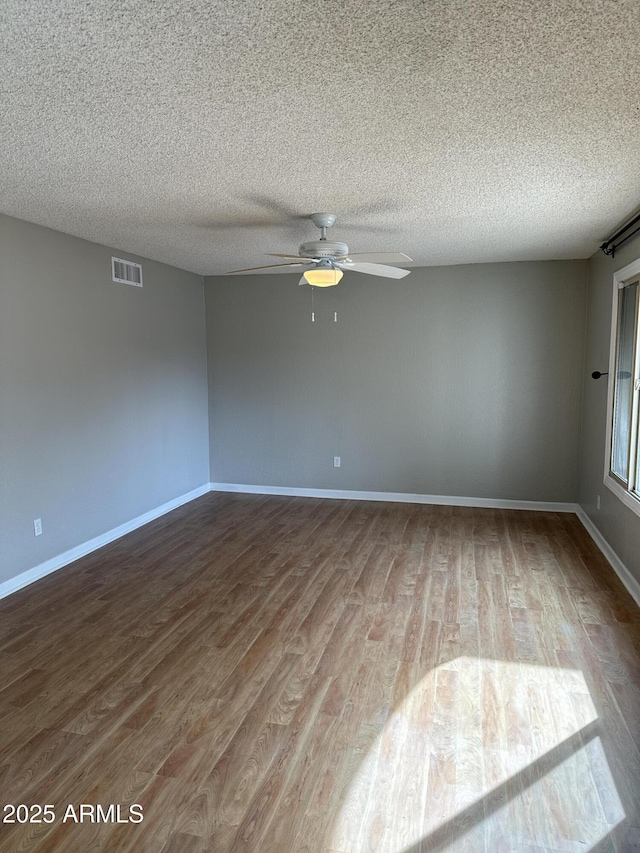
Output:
x,y
271,675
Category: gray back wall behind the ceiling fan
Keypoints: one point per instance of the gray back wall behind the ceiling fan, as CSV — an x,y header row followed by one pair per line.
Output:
x,y
459,380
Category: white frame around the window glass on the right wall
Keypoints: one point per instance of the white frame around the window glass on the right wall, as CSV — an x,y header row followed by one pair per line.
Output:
x,y
629,493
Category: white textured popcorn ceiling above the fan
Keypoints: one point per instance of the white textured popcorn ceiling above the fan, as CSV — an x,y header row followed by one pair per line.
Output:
x,y
191,131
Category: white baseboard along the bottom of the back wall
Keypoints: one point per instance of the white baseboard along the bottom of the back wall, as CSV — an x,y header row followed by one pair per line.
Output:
x,y
394,497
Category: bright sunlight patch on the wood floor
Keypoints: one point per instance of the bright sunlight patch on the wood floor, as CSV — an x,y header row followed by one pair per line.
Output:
x,y
483,752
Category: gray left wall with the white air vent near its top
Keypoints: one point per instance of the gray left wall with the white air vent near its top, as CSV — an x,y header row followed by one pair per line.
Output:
x,y
103,392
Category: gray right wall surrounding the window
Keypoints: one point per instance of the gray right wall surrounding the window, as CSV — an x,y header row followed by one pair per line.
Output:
x,y
617,523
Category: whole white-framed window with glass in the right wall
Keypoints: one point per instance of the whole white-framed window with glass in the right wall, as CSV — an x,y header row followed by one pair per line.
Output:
x,y
622,467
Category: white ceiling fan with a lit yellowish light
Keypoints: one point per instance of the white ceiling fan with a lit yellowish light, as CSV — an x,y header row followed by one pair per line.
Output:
x,y
327,261
